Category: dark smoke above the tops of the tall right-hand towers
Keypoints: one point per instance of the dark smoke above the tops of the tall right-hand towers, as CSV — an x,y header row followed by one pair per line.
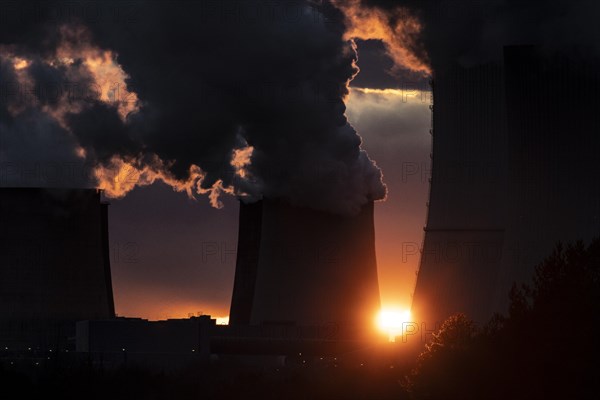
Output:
x,y
470,32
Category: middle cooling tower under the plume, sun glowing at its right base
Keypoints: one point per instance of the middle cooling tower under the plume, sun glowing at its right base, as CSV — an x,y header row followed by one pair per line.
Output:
x,y
314,268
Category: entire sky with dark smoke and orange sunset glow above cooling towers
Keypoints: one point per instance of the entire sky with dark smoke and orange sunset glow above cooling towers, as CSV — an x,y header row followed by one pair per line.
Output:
x,y
176,109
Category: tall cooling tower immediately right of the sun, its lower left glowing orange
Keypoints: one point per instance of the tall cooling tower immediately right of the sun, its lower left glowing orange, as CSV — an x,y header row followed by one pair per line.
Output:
x,y
461,255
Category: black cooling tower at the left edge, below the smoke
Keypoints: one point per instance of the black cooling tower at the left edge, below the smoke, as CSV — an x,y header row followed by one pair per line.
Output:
x,y
54,267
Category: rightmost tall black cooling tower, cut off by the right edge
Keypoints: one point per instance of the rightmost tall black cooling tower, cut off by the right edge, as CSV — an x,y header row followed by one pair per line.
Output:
x,y
553,146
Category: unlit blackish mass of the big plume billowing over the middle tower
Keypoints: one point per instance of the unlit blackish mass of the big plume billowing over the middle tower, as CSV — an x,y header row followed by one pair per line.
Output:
x,y
211,77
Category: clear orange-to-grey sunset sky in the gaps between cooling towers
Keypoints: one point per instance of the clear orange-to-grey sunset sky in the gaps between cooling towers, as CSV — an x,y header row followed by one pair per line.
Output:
x,y
172,256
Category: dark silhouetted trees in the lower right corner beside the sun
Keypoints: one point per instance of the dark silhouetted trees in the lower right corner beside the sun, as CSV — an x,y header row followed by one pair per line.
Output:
x,y
546,348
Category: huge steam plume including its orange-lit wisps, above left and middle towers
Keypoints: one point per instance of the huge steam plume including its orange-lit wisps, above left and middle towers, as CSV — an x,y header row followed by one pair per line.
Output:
x,y
224,106
